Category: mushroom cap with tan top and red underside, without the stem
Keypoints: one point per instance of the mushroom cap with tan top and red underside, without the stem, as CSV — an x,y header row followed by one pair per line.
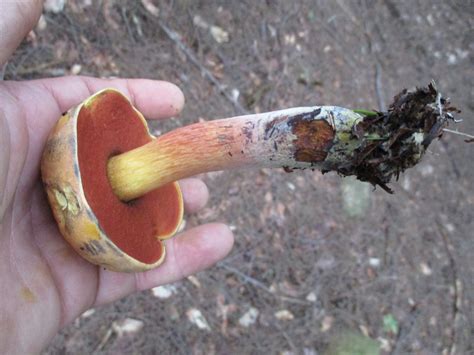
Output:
x,y
120,236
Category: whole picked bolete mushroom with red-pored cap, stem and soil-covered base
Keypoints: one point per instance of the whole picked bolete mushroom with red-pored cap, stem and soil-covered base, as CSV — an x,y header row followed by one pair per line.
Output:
x,y
112,187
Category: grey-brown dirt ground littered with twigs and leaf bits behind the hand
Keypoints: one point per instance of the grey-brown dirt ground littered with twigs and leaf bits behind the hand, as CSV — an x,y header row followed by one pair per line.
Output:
x,y
321,264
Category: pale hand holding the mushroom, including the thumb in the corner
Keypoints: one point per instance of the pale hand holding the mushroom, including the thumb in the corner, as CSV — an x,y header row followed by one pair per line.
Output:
x,y
44,284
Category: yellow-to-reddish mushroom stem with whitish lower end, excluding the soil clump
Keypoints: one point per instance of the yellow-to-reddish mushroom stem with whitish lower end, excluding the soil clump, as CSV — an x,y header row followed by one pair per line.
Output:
x,y
292,138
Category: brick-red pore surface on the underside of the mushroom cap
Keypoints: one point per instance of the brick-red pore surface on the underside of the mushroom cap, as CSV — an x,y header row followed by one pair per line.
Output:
x,y
108,125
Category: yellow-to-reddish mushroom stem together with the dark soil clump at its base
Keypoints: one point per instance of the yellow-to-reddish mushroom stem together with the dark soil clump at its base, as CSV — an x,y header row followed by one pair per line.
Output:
x,y
374,146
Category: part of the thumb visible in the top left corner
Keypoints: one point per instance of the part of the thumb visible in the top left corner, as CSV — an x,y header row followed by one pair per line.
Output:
x,y
17,18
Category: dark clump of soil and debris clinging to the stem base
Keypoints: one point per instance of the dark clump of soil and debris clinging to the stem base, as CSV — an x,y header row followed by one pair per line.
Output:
x,y
393,141
